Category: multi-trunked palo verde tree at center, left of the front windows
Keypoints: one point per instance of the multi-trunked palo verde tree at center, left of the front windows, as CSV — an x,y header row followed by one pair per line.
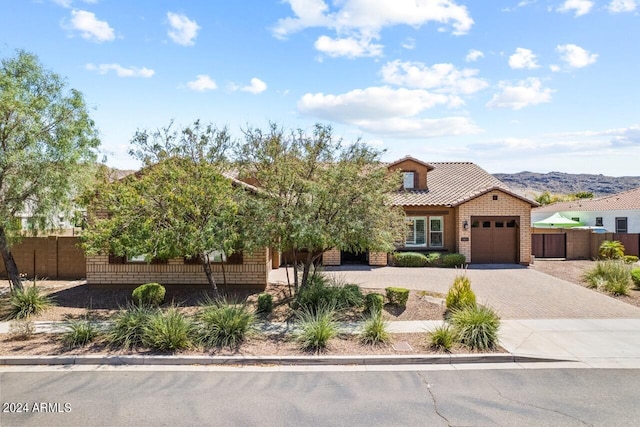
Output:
x,y
318,194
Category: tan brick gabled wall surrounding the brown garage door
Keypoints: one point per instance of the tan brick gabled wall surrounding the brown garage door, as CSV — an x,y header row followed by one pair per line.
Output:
x,y
505,205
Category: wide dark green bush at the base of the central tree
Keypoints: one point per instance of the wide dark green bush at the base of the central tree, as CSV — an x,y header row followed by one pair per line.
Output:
x,y
322,291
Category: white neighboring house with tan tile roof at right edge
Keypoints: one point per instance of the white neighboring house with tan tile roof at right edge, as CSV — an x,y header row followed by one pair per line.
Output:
x,y
618,213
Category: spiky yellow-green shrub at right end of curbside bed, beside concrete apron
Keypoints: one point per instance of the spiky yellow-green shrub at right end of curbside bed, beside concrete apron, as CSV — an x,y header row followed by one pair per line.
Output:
x,y
476,327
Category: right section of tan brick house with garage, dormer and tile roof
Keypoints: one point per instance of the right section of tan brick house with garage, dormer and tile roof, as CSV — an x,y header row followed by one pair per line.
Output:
x,y
457,207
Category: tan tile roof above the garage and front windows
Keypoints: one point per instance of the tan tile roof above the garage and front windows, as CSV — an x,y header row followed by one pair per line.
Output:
x,y
453,183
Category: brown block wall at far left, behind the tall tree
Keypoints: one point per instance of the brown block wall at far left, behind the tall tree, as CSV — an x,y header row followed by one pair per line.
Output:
x,y
54,257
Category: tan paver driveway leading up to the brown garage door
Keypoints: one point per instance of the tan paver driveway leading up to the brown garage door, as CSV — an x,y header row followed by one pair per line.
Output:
x,y
515,292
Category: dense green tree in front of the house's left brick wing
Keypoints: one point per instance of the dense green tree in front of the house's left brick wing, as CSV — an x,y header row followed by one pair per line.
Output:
x,y
178,205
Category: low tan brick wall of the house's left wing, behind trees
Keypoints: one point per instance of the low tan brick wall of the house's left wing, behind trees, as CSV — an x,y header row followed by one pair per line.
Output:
x,y
254,272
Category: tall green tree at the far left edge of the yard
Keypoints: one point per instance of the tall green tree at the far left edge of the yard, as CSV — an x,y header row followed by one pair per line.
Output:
x,y
47,144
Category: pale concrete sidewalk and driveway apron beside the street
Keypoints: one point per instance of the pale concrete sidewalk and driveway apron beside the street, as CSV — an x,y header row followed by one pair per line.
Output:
x,y
597,343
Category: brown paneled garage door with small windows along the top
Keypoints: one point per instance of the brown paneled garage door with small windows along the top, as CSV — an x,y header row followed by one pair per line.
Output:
x,y
494,240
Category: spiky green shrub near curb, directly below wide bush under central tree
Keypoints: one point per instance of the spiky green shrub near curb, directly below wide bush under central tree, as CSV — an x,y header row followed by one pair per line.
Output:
x,y
316,328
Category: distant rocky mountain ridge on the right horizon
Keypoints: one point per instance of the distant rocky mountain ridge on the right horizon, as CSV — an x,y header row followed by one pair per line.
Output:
x,y
532,183
